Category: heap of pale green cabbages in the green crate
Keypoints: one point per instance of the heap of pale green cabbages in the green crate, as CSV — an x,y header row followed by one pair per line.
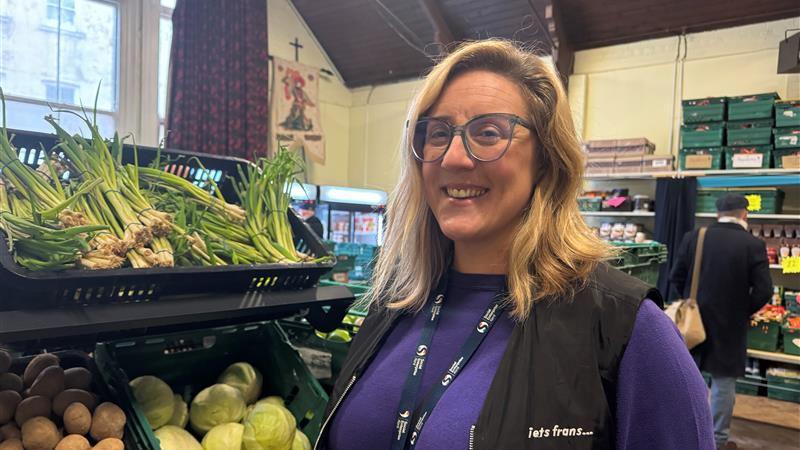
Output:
x,y
227,415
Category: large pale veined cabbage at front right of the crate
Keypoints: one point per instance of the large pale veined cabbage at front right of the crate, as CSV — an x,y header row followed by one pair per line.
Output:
x,y
269,427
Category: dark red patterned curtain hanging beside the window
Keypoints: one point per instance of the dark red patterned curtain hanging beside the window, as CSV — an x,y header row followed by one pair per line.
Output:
x,y
219,78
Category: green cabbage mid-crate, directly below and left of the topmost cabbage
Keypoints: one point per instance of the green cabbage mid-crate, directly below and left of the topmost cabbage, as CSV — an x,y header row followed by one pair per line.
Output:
x,y
214,406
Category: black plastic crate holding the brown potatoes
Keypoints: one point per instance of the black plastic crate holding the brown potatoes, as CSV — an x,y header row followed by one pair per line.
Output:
x,y
72,358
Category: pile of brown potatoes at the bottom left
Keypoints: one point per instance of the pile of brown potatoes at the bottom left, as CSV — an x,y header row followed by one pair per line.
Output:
x,y
47,407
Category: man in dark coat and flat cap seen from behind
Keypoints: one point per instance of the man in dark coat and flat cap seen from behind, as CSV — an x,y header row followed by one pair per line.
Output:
x,y
734,283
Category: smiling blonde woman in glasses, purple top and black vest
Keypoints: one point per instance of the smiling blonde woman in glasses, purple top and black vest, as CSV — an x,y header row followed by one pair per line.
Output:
x,y
494,323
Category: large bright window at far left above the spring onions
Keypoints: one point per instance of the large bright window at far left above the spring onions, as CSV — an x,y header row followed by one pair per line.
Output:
x,y
39,54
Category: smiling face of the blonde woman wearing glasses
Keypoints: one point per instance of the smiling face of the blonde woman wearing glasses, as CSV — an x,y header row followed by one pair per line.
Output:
x,y
498,191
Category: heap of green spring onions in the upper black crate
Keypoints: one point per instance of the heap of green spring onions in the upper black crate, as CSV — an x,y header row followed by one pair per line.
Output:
x,y
82,208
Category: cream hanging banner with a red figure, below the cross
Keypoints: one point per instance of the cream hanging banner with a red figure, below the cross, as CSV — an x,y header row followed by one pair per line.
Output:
x,y
295,114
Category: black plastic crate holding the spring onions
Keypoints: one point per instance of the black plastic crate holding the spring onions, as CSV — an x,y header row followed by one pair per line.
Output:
x,y
23,288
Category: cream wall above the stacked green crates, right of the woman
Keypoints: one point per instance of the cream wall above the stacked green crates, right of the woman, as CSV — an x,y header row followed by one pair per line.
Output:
x,y
634,90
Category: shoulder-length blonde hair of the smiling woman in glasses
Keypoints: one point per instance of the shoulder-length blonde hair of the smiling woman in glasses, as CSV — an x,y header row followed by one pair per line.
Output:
x,y
553,252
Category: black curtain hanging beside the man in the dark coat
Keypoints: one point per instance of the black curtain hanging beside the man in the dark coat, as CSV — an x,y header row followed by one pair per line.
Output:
x,y
676,202
